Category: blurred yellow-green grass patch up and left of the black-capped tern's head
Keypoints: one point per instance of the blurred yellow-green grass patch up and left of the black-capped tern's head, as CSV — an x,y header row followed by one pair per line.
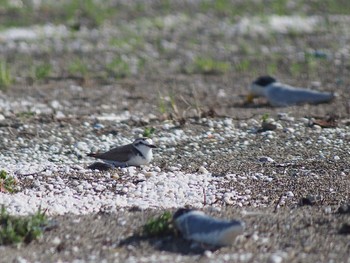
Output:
x,y
208,66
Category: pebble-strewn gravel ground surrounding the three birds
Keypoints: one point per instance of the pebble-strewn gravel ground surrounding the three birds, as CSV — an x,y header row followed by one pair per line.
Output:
x,y
286,184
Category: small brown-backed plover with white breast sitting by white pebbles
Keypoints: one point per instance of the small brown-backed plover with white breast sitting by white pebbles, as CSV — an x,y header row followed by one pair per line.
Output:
x,y
134,154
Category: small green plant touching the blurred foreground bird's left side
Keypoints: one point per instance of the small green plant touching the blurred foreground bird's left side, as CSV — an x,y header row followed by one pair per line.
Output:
x,y
159,226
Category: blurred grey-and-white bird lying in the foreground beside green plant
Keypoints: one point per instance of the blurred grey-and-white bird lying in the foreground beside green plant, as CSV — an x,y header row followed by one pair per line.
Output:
x,y
197,226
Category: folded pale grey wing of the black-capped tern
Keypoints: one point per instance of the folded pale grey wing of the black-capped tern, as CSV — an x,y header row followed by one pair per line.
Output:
x,y
285,95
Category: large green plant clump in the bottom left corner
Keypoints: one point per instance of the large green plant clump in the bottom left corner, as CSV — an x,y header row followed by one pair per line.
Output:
x,y
15,229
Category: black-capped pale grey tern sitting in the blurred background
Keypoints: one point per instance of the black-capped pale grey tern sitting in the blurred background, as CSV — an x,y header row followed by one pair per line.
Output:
x,y
282,95
